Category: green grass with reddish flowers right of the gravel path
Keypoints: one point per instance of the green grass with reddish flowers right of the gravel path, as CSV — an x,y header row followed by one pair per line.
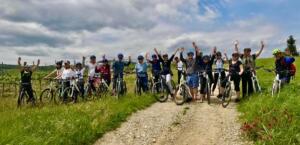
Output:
x,y
272,120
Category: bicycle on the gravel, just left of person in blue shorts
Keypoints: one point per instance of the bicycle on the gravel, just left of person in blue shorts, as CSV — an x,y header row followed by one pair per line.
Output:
x,y
183,93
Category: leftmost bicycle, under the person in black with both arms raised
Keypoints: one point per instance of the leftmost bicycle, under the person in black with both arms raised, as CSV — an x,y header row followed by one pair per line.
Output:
x,y
23,97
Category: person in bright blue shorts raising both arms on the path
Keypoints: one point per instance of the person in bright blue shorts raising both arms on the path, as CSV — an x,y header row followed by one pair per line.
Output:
x,y
191,75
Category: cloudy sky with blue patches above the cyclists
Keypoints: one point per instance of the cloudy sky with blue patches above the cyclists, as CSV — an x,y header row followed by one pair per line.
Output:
x,y
70,29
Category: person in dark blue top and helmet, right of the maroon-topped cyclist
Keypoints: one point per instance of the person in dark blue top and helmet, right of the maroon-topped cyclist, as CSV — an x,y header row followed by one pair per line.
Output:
x,y
118,69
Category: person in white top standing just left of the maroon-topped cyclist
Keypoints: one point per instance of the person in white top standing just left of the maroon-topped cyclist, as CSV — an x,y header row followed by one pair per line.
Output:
x,y
91,66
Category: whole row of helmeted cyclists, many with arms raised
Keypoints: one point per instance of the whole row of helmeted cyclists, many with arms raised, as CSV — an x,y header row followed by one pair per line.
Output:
x,y
241,67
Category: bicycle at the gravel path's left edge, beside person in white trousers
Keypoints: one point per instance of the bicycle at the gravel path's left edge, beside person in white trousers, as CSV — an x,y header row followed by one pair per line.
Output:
x,y
161,89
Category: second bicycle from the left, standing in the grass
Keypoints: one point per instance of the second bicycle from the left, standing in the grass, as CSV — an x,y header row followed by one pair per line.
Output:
x,y
48,94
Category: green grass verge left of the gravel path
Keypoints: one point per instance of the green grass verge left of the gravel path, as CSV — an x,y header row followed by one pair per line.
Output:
x,y
81,123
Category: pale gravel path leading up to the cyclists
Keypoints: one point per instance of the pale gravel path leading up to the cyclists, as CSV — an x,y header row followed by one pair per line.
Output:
x,y
168,124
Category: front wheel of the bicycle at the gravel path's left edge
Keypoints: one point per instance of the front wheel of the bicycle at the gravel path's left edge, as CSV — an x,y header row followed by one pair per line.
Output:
x,y
160,92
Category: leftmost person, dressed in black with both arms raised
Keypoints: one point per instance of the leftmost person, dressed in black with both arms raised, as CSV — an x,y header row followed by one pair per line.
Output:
x,y
26,75
